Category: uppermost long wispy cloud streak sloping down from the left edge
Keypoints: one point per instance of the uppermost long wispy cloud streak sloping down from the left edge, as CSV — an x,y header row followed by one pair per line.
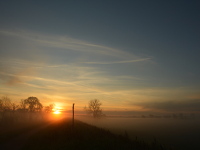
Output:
x,y
67,43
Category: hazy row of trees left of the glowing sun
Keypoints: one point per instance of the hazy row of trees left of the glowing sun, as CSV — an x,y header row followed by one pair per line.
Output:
x,y
27,109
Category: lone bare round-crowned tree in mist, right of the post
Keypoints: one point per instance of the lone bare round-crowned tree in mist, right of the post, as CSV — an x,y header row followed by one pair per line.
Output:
x,y
94,108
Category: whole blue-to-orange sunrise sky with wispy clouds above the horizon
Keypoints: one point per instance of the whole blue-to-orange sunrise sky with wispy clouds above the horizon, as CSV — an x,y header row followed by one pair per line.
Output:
x,y
131,55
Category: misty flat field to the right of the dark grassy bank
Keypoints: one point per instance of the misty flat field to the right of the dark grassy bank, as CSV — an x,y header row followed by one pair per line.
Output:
x,y
182,134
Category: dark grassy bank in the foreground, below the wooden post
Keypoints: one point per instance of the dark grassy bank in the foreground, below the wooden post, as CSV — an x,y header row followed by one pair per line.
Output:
x,y
62,136
